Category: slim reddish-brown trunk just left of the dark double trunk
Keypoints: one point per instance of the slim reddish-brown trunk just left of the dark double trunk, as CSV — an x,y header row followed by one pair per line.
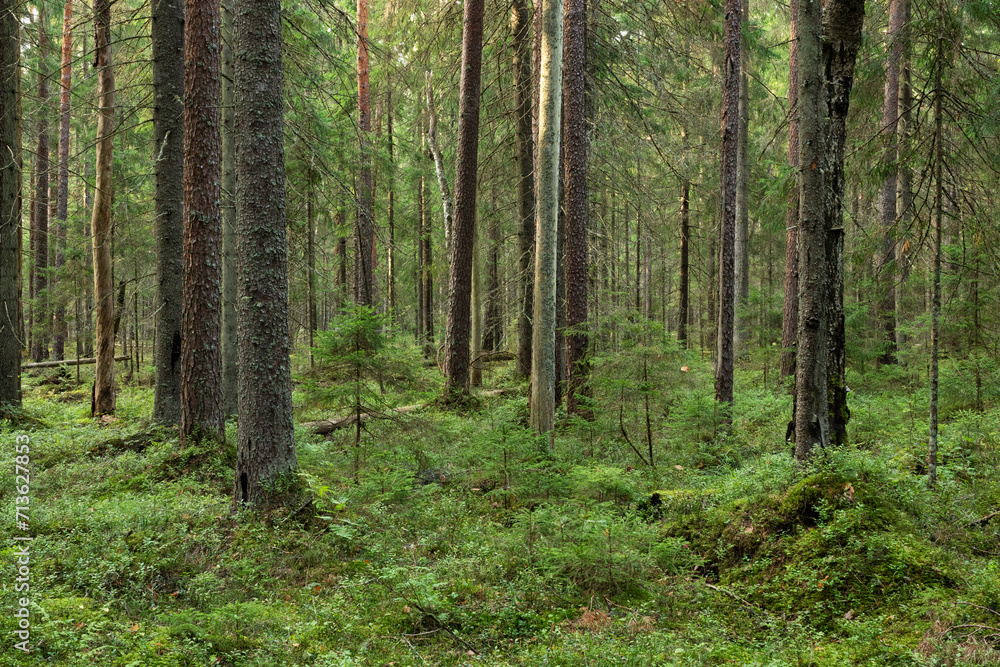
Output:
x,y
790,315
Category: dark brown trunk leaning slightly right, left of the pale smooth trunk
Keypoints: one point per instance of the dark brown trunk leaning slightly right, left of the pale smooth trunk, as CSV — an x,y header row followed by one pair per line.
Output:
x,y
466,174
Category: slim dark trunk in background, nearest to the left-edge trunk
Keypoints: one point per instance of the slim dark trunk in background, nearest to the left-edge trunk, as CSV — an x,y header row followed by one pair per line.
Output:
x,y
40,335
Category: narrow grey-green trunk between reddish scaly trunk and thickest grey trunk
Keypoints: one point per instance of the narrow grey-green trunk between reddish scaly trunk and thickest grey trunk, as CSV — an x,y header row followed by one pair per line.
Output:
x,y
230,342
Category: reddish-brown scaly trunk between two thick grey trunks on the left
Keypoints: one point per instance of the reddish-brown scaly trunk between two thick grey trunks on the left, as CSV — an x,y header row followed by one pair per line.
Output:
x,y
201,323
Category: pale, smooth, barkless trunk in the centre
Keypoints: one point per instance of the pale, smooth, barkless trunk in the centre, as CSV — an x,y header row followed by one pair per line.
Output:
x,y
543,363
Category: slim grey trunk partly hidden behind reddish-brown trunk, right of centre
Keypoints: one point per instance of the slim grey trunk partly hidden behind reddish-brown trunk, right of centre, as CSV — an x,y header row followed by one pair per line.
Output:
x,y
742,247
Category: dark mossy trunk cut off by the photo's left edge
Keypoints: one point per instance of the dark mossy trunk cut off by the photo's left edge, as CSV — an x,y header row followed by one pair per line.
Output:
x,y
10,208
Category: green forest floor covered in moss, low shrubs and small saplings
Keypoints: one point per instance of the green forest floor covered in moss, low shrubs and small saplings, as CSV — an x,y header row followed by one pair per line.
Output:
x,y
447,538
